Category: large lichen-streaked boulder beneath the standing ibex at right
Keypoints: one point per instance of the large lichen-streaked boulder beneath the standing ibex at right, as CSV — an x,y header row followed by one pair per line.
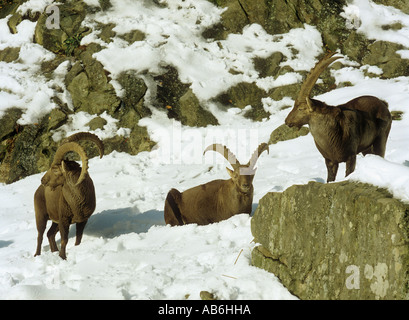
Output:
x,y
342,240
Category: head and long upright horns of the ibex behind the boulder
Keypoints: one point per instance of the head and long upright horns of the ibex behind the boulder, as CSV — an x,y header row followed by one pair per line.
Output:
x,y
303,105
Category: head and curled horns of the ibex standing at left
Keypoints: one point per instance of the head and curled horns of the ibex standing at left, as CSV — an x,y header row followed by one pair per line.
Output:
x,y
61,171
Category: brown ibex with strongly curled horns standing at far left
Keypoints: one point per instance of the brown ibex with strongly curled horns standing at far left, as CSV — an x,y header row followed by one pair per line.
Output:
x,y
66,194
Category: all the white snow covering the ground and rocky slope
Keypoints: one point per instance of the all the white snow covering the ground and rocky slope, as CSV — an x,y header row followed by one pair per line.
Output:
x,y
127,251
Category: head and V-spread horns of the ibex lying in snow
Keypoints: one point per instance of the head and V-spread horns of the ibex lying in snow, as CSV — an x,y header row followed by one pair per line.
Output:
x,y
242,174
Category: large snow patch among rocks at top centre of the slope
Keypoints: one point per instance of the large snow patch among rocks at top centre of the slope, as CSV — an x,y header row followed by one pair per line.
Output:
x,y
207,65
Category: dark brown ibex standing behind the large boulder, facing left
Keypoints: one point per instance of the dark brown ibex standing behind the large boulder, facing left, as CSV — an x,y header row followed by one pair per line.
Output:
x,y
341,132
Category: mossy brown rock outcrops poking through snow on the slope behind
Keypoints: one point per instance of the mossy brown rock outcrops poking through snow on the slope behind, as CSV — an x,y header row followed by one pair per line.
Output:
x,y
90,87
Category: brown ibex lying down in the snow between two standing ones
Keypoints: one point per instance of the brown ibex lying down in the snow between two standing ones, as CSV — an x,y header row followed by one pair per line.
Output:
x,y
216,200
